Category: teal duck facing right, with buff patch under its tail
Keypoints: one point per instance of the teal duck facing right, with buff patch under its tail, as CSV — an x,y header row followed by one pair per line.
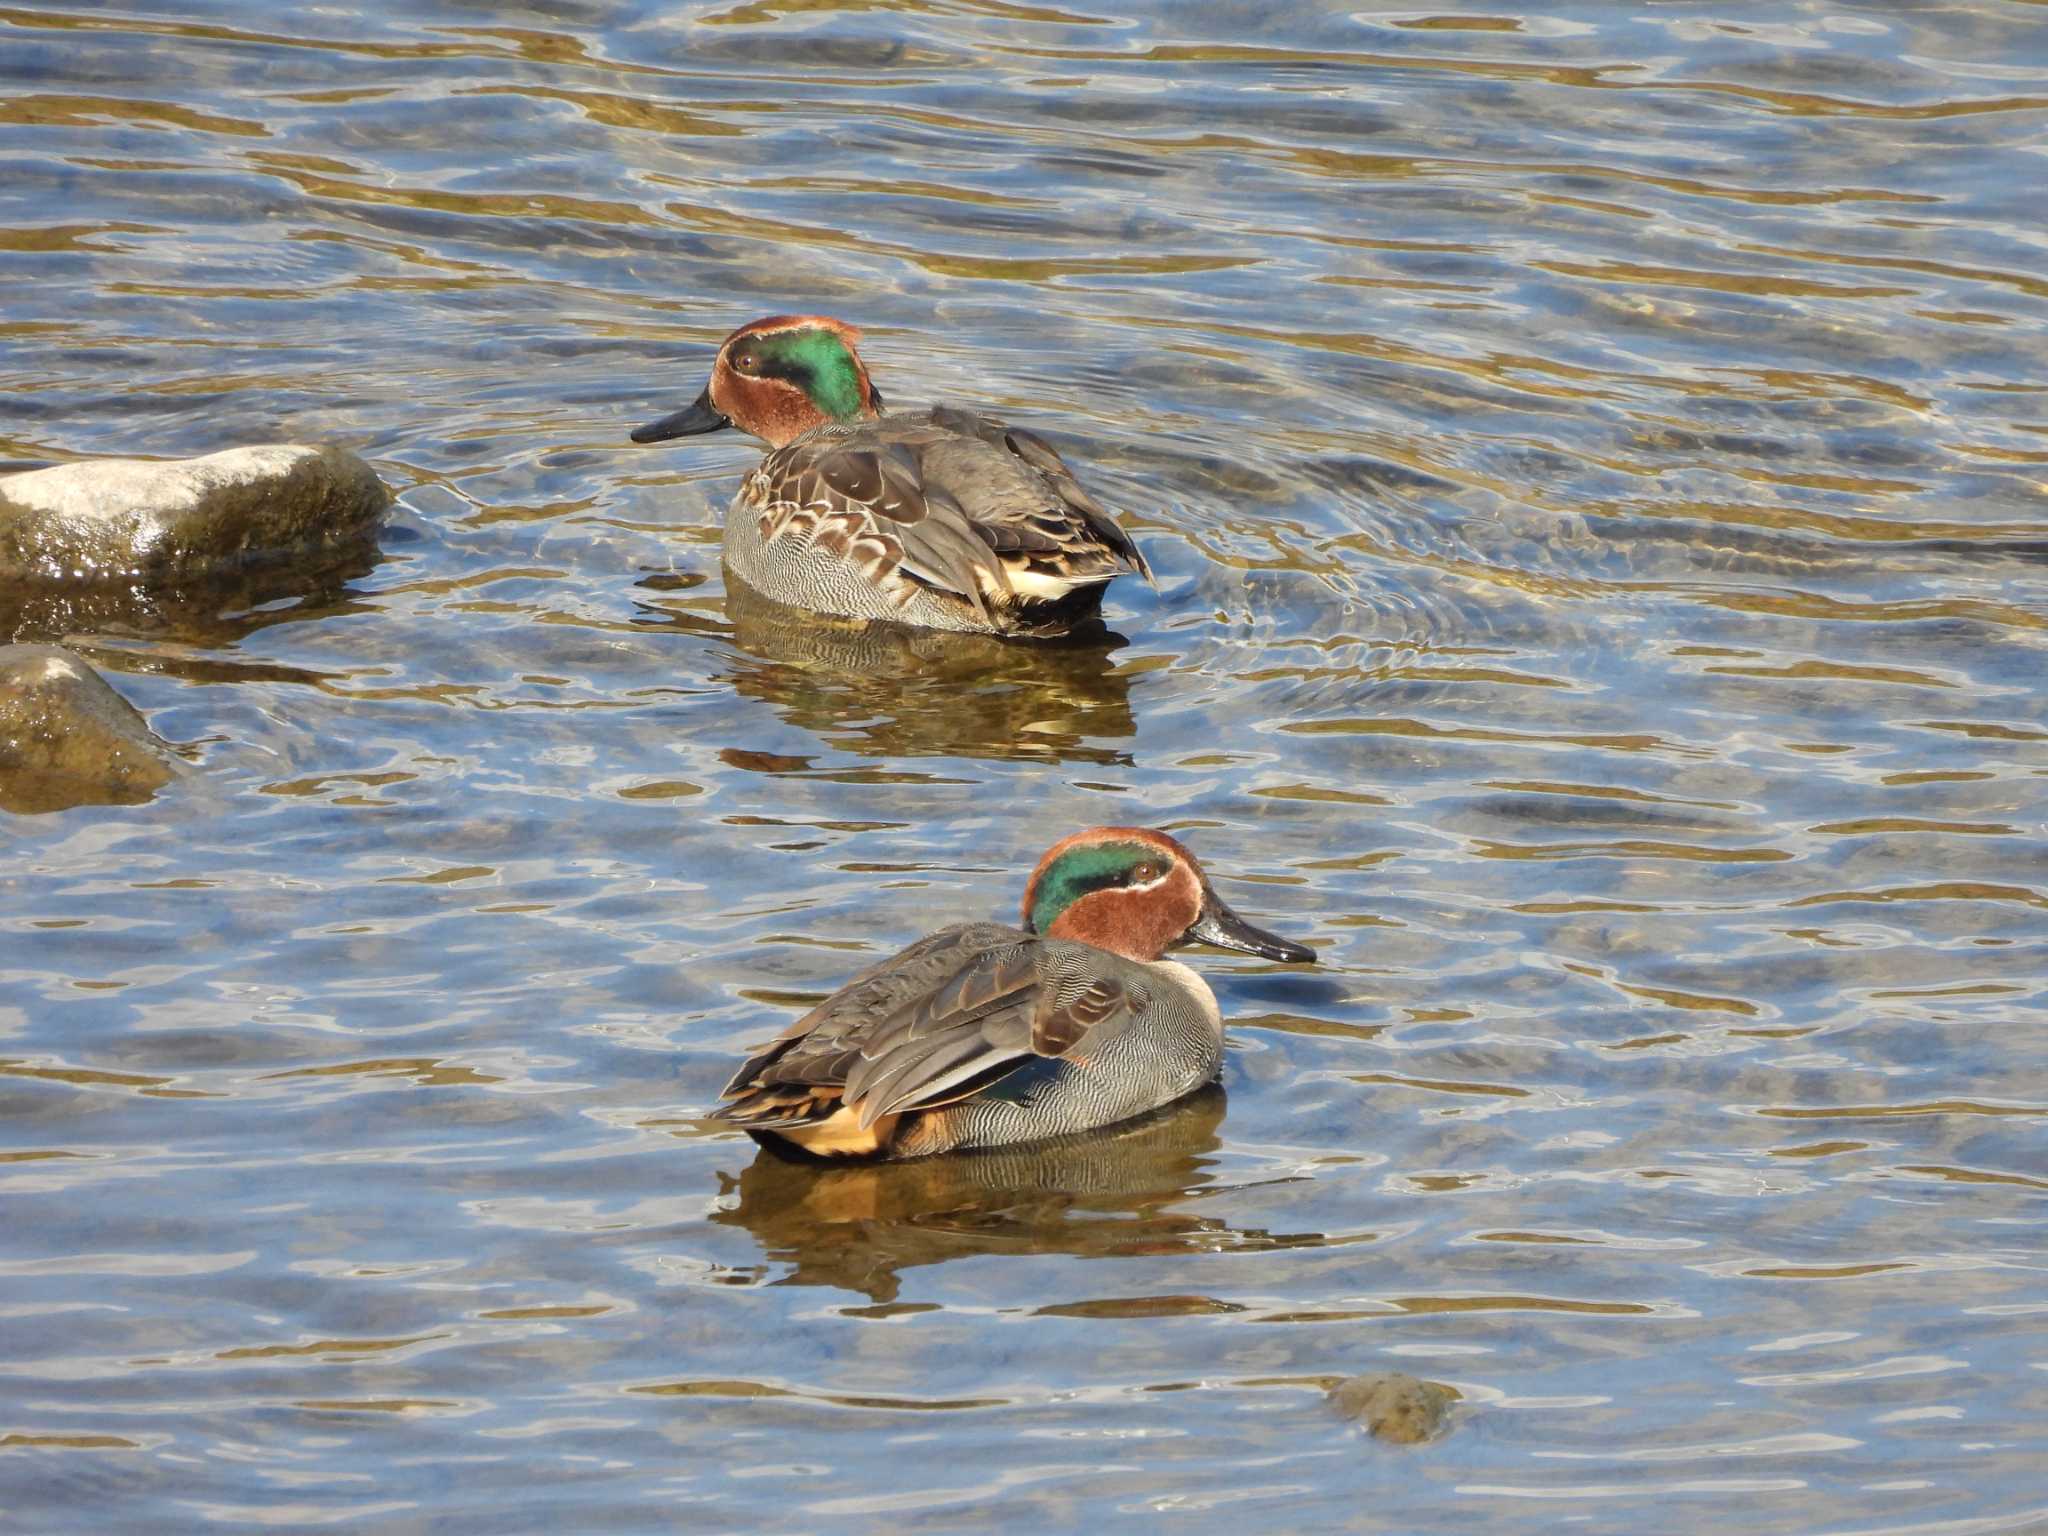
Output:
x,y
986,1035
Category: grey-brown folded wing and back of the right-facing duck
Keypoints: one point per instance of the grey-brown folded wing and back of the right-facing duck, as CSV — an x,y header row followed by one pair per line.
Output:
x,y
941,1021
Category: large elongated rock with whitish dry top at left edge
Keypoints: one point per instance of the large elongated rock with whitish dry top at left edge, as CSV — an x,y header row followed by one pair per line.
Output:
x,y
187,519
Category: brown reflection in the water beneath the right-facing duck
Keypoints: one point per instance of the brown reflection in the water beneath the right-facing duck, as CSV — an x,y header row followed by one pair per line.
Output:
x,y
1101,1195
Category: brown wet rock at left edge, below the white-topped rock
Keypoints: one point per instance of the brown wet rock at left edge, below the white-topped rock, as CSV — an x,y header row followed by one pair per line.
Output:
x,y
67,738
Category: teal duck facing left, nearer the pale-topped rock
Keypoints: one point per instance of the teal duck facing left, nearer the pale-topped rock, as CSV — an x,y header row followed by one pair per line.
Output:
x,y
939,517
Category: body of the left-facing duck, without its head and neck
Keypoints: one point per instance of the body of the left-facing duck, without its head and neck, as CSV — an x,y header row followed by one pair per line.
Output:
x,y
939,517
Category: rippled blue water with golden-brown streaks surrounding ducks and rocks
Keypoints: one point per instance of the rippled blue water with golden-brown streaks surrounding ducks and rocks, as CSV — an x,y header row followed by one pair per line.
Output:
x,y
1594,464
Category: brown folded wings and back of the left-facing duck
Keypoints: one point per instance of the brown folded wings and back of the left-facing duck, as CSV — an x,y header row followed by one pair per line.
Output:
x,y
947,501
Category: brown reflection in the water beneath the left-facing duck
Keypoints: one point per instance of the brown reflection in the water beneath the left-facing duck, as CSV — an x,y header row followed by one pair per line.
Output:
x,y
894,691
